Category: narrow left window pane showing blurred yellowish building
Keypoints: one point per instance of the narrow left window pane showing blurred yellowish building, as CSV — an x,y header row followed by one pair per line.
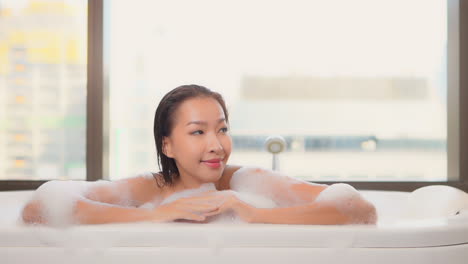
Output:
x,y
42,89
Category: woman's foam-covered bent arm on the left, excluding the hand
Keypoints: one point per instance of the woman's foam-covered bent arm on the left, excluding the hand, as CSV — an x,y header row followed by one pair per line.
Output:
x,y
60,202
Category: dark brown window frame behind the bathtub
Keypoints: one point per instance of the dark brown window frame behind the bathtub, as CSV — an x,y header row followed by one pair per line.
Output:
x,y
97,146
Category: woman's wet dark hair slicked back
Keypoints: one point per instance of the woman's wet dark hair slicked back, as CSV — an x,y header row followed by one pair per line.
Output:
x,y
164,123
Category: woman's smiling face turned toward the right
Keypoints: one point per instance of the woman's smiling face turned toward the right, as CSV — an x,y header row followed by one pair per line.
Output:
x,y
199,142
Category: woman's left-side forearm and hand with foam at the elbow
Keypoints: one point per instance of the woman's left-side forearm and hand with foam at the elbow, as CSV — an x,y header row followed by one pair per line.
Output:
x,y
81,210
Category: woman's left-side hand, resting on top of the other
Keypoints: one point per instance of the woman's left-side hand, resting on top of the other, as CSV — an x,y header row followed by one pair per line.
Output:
x,y
195,208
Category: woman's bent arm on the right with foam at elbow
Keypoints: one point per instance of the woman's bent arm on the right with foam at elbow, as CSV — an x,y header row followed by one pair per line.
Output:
x,y
300,202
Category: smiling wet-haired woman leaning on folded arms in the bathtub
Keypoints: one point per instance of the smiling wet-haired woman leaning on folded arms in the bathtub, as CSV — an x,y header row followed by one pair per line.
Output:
x,y
193,147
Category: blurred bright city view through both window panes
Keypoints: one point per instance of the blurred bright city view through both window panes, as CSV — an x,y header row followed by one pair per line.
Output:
x,y
357,88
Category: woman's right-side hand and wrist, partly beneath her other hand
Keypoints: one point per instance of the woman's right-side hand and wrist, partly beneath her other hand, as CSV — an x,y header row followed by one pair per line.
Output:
x,y
245,211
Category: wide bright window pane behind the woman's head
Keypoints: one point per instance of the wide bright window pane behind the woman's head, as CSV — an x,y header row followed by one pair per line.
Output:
x,y
356,93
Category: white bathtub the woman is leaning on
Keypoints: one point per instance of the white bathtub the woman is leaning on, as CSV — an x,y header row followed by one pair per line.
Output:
x,y
392,240
